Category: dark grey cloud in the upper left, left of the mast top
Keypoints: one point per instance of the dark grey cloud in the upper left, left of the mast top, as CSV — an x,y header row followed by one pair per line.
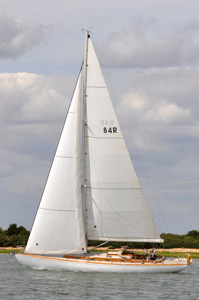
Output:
x,y
17,38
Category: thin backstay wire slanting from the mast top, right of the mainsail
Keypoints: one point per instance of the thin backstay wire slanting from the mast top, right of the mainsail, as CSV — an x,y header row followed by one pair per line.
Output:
x,y
125,123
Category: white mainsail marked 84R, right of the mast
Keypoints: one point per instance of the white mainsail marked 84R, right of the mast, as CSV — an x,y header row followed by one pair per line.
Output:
x,y
115,205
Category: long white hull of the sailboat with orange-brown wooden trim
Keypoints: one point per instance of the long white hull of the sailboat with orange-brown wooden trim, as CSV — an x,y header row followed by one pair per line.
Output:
x,y
84,265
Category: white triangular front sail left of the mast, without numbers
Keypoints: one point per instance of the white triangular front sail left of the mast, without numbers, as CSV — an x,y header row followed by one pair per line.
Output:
x,y
58,227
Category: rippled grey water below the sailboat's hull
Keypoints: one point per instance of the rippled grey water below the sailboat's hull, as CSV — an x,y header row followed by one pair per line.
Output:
x,y
19,282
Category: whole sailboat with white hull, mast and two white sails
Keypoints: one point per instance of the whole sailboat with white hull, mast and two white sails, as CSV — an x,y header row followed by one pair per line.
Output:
x,y
92,191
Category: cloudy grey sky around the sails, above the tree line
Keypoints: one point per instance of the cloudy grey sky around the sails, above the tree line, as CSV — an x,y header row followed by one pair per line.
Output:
x,y
149,53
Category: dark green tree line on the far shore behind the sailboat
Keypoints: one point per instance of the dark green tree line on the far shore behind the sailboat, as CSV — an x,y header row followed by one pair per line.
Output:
x,y
18,236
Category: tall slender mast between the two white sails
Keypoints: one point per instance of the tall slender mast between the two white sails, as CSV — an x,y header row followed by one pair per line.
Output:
x,y
84,124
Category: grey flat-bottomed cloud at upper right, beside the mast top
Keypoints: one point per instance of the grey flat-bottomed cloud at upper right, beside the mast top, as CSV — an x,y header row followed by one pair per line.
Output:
x,y
134,48
